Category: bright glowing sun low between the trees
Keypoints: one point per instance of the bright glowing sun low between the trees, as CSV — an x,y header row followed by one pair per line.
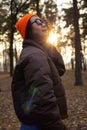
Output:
x,y
53,38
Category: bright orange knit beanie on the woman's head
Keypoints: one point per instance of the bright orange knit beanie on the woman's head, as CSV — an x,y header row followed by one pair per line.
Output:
x,y
22,24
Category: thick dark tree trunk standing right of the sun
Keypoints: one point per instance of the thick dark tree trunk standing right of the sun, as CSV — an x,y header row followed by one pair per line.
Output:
x,y
78,74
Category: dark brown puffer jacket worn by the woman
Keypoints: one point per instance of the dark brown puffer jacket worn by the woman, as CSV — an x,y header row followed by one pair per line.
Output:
x,y
36,88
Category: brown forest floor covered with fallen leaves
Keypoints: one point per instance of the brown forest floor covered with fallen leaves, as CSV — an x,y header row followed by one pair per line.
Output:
x,y
76,100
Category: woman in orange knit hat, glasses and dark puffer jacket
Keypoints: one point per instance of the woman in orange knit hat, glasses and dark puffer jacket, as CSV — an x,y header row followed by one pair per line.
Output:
x,y
36,84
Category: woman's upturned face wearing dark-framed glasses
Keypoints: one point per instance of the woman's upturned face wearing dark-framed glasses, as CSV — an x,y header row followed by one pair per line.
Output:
x,y
39,27
